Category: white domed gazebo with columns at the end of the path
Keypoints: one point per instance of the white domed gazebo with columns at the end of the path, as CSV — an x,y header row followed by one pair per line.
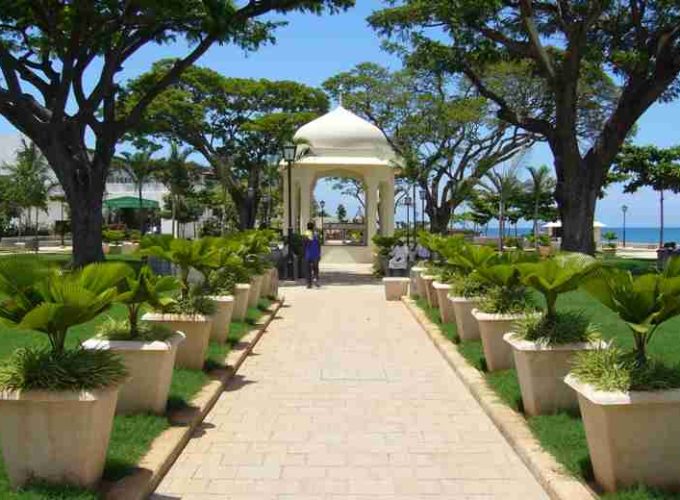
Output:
x,y
341,144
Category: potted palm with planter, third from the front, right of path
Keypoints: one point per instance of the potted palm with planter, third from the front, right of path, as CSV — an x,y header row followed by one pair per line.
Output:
x,y
505,302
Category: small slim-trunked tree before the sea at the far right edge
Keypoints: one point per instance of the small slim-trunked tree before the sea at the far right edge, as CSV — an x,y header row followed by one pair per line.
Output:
x,y
653,167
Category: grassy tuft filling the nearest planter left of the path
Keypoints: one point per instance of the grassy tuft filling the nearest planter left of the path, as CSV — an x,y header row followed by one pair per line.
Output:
x,y
34,368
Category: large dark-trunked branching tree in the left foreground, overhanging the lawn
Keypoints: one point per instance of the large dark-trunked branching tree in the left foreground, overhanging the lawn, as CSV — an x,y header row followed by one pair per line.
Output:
x,y
60,64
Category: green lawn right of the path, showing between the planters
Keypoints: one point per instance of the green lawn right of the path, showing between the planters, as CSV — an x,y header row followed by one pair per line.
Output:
x,y
563,434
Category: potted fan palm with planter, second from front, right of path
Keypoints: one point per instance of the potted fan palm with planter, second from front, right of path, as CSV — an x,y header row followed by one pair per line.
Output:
x,y
544,346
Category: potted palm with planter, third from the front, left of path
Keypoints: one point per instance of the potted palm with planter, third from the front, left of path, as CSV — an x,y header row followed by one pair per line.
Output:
x,y
191,312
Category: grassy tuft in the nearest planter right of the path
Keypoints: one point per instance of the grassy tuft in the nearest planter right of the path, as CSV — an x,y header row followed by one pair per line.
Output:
x,y
615,370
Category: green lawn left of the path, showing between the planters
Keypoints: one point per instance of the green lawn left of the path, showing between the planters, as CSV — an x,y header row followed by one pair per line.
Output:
x,y
131,435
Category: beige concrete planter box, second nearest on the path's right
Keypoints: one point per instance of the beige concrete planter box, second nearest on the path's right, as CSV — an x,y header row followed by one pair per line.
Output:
x,y
541,370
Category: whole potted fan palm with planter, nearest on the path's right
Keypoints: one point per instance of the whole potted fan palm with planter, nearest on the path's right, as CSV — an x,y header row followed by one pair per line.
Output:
x,y
629,401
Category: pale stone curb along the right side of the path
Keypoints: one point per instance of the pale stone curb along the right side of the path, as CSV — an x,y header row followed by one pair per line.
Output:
x,y
547,471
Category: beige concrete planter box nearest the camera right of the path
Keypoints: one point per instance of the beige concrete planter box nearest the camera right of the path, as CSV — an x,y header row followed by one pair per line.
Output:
x,y
633,437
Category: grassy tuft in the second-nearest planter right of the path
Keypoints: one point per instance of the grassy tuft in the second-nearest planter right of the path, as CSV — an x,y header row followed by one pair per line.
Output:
x,y
565,327
